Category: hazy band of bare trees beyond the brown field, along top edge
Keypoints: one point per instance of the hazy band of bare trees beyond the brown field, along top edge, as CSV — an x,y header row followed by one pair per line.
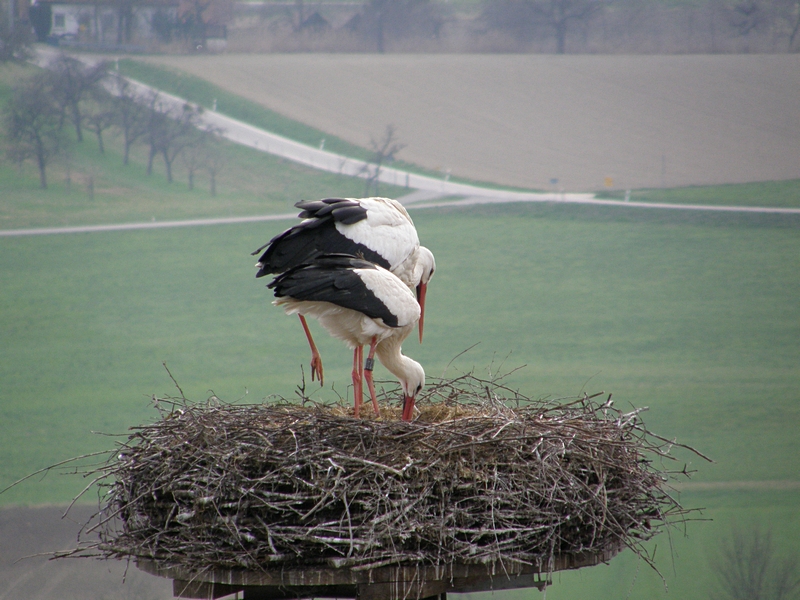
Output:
x,y
559,25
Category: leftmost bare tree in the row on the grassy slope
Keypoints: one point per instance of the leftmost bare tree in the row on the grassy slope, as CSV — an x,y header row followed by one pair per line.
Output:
x,y
32,124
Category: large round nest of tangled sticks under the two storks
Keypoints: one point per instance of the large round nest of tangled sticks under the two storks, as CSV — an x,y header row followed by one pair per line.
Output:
x,y
483,474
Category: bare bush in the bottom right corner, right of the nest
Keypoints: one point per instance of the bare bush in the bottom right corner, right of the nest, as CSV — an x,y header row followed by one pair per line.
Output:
x,y
748,568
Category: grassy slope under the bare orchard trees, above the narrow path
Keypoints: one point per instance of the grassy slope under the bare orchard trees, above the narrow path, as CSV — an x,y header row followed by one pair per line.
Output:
x,y
250,183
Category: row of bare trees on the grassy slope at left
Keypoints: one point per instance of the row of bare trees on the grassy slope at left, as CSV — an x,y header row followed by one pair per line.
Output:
x,y
90,98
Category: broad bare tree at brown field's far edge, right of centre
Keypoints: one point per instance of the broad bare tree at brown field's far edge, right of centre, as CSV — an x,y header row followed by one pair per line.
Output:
x,y
522,18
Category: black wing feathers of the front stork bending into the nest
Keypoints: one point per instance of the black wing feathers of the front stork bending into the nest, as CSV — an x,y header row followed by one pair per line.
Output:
x,y
332,278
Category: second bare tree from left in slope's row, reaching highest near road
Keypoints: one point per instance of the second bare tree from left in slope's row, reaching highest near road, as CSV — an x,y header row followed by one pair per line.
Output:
x,y
72,82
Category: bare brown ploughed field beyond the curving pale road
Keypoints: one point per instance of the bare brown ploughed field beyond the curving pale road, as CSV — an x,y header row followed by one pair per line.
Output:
x,y
644,121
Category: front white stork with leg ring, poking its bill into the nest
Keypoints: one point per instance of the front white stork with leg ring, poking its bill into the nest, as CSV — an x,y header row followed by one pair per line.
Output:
x,y
360,303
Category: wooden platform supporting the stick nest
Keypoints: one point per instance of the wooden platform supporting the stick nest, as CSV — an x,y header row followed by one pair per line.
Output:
x,y
383,583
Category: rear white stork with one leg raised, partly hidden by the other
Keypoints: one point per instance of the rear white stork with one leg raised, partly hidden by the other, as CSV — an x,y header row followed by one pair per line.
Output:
x,y
376,229
